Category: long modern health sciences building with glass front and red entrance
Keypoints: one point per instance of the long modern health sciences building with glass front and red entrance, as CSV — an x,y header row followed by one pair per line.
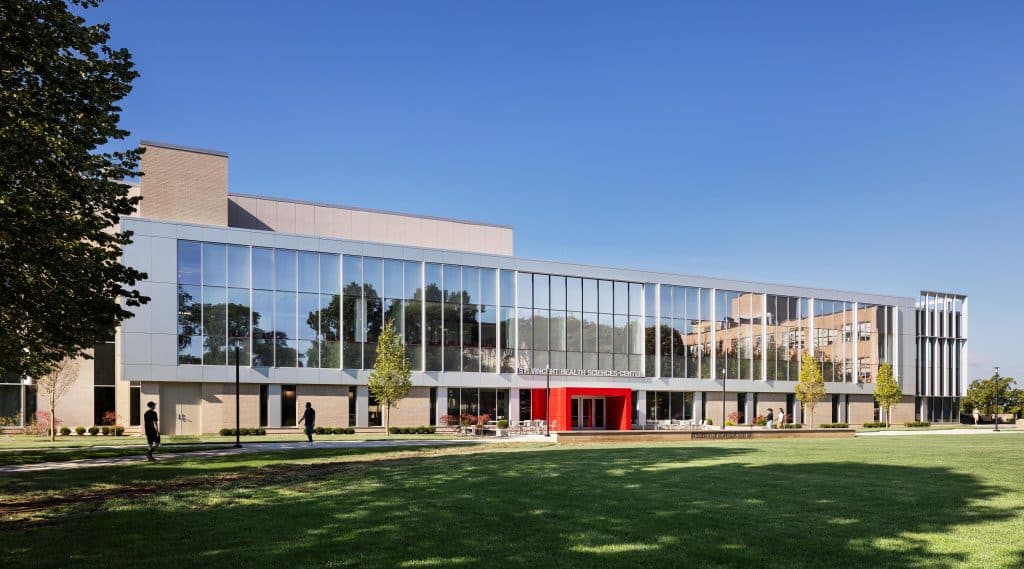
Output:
x,y
302,291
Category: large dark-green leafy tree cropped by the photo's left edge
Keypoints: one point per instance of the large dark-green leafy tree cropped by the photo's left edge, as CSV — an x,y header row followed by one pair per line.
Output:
x,y
65,288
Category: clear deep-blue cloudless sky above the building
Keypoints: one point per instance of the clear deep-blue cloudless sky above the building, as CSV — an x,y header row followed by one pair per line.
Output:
x,y
874,146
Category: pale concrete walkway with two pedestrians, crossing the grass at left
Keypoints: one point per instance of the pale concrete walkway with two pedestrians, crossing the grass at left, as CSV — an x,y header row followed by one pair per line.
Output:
x,y
231,452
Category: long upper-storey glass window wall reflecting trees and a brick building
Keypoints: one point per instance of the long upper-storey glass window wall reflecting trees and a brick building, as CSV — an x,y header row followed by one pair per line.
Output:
x,y
286,309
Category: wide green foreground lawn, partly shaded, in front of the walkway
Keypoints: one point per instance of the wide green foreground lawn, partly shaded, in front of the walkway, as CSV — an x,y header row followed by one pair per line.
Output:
x,y
882,502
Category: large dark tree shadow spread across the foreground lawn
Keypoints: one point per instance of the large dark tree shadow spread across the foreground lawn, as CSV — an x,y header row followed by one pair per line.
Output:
x,y
696,506
